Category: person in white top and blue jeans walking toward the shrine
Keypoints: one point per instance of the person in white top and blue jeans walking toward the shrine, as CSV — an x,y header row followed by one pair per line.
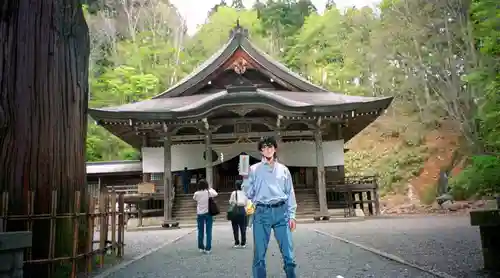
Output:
x,y
204,218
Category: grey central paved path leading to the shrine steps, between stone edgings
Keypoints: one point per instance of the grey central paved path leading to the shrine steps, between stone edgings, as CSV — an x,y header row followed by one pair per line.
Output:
x,y
317,256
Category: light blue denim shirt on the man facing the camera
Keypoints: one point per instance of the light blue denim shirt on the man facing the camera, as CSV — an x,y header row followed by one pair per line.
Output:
x,y
268,184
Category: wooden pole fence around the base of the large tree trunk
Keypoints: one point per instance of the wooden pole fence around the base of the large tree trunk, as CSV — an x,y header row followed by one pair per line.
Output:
x,y
101,227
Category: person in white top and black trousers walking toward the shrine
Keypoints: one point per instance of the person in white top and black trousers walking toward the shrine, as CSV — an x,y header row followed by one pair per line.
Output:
x,y
238,219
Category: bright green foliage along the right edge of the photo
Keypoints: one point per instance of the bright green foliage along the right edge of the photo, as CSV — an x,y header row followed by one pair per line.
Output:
x,y
482,176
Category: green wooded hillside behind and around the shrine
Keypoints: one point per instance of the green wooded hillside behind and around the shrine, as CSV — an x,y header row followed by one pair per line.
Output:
x,y
438,58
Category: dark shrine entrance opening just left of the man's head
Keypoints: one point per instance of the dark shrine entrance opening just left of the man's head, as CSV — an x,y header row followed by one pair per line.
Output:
x,y
226,173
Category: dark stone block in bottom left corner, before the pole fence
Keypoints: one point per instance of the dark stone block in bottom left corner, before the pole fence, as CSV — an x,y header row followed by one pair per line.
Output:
x,y
12,246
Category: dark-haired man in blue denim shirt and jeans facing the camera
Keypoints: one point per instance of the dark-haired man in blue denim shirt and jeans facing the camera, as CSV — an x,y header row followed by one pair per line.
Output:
x,y
269,187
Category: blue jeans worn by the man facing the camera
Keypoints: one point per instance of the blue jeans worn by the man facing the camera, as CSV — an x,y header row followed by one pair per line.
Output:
x,y
265,219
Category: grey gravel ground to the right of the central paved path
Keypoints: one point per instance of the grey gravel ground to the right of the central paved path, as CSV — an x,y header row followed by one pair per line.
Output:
x,y
445,243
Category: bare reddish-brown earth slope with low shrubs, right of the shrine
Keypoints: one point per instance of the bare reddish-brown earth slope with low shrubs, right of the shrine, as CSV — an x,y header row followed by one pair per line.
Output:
x,y
405,153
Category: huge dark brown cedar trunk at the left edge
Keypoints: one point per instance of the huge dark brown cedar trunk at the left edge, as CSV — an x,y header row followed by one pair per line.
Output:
x,y
44,48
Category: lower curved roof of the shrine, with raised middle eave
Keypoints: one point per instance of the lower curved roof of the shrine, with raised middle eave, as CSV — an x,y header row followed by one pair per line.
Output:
x,y
198,106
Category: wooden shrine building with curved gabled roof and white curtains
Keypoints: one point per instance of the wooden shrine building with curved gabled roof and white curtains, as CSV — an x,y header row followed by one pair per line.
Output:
x,y
221,110
